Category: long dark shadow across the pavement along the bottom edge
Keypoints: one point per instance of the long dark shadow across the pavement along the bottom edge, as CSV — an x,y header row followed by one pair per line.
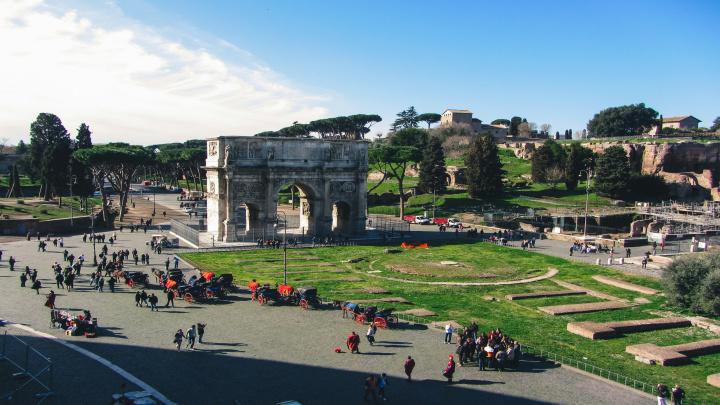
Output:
x,y
183,376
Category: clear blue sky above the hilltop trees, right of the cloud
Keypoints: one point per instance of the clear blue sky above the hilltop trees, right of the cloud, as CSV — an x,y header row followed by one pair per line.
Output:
x,y
556,62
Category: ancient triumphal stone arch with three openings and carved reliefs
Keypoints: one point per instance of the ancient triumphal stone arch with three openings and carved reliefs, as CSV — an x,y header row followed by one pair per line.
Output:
x,y
245,175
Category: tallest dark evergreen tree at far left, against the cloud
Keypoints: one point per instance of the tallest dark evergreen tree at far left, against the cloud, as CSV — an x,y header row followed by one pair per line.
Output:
x,y
50,149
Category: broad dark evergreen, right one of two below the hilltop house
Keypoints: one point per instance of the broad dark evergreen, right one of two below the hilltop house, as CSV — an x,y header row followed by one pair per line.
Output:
x,y
483,168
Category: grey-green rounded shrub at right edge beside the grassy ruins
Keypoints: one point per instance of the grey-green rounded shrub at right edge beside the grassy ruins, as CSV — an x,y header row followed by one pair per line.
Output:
x,y
693,282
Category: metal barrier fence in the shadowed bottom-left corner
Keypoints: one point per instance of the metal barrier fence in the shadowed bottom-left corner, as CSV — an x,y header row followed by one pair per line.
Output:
x,y
33,366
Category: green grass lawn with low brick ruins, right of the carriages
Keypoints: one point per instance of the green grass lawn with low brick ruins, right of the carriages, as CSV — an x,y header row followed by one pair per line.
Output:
x,y
336,279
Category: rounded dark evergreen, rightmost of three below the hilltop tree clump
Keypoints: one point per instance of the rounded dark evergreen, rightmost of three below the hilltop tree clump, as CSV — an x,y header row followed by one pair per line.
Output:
x,y
612,173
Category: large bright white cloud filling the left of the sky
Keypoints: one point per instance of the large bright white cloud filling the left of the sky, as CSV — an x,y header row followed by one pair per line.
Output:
x,y
132,84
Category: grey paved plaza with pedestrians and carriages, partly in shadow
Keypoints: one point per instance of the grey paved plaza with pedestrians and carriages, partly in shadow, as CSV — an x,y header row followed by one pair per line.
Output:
x,y
260,355
